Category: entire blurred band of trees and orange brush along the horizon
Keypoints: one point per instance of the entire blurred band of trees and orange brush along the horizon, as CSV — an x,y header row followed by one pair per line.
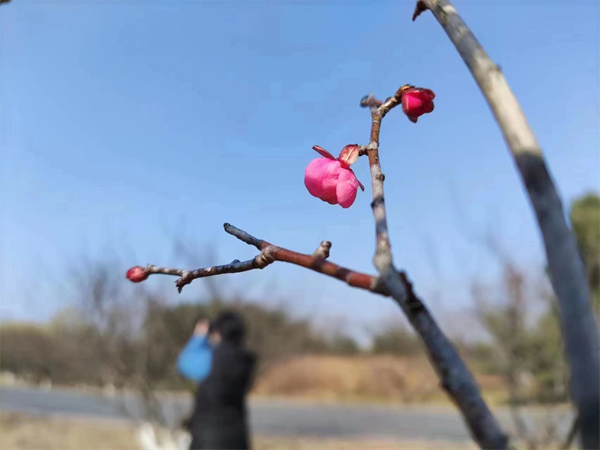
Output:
x,y
130,338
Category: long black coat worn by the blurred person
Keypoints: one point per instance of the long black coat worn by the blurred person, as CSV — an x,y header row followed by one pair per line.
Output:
x,y
220,419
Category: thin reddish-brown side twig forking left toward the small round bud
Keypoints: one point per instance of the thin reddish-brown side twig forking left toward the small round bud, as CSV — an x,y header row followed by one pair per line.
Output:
x,y
270,253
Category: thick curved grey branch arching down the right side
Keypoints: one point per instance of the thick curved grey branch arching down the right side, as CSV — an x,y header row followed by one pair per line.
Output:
x,y
567,274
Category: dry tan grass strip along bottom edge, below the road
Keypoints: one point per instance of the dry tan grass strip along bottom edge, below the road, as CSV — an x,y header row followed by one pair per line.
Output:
x,y
23,432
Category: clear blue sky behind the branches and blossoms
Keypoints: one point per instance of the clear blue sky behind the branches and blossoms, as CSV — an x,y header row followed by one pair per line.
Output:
x,y
125,123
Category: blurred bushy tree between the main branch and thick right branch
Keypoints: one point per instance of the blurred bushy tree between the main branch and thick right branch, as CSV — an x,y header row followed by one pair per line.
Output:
x,y
529,357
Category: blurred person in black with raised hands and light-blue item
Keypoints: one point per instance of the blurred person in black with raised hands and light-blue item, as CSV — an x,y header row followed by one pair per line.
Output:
x,y
217,360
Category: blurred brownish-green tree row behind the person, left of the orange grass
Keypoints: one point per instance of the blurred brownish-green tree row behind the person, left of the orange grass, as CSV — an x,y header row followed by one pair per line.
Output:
x,y
136,346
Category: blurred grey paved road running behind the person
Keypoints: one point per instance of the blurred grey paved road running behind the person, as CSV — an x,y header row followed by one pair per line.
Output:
x,y
271,418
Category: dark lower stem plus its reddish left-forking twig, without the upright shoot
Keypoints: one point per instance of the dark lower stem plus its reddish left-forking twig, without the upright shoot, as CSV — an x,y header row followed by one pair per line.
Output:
x,y
454,375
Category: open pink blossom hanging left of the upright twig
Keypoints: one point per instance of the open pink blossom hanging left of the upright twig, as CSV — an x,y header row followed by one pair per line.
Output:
x,y
331,179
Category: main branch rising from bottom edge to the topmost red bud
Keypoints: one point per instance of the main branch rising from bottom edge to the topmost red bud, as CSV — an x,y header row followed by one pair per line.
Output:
x,y
452,371
